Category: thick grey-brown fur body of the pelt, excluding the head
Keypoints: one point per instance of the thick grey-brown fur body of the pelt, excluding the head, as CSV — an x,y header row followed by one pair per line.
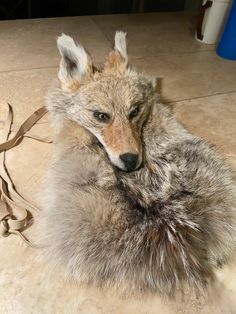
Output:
x,y
171,222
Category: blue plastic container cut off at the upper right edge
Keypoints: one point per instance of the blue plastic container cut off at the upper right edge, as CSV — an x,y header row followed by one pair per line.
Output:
x,y
227,45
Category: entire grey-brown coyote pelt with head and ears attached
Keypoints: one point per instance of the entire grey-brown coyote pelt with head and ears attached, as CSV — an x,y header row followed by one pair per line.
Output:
x,y
170,222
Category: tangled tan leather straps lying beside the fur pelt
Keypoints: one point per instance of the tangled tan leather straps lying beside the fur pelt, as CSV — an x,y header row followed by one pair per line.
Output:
x,y
13,207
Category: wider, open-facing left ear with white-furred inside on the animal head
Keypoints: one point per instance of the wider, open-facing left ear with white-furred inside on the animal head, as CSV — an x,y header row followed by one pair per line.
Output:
x,y
75,64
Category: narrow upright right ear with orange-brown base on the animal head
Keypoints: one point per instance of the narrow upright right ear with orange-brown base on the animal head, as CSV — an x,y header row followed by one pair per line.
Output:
x,y
117,60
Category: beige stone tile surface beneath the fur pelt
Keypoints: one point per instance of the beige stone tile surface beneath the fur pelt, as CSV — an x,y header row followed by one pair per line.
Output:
x,y
202,90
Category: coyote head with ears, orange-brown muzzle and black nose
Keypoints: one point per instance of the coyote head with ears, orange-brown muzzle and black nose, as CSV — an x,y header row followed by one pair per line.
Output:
x,y
112,104
